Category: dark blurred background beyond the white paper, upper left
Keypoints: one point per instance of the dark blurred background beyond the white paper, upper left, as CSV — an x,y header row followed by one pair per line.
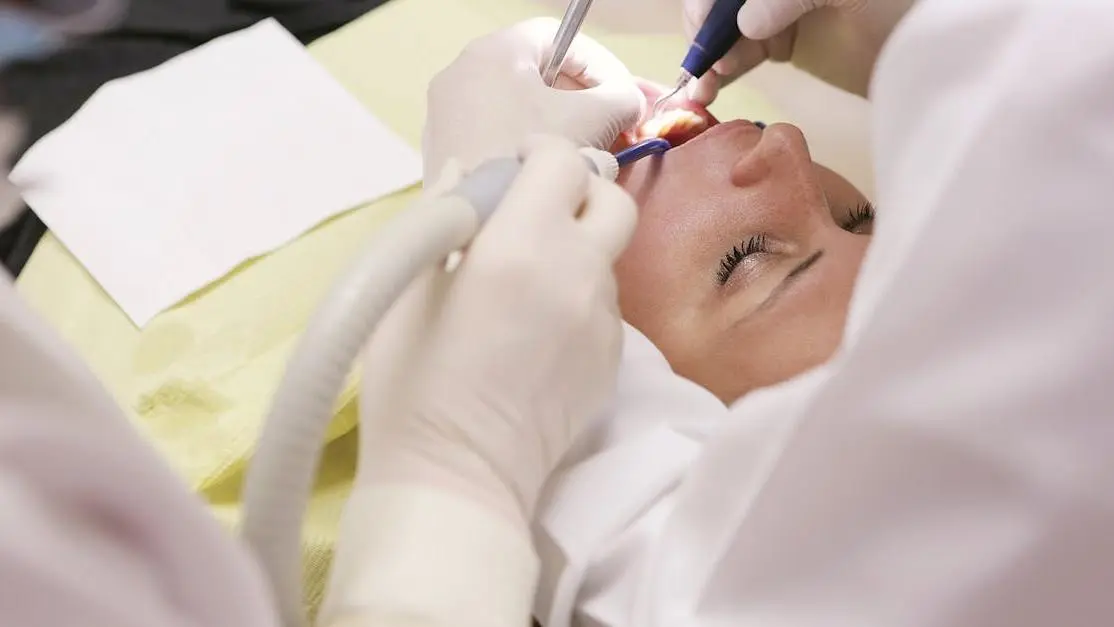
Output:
x,y
47,93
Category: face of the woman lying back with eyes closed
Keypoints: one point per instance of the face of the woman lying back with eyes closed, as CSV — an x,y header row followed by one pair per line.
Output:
x,y
746,254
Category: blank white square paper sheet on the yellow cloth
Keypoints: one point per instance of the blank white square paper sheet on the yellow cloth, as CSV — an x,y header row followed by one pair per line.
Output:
x,y
168,180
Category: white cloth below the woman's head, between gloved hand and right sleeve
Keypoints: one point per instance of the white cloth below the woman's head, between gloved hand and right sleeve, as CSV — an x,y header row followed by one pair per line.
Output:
x,y
604,507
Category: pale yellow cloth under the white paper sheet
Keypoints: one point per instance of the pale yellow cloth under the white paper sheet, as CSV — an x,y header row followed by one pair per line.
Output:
x,y
199,379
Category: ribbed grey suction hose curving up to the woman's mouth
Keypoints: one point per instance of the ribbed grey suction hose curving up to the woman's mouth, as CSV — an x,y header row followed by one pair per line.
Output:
x,y
280,478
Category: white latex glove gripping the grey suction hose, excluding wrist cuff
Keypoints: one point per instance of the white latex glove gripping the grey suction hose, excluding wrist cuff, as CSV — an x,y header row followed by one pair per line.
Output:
x,y
478,380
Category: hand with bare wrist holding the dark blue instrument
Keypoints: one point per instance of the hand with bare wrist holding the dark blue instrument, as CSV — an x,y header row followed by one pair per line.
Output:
x,y
839,46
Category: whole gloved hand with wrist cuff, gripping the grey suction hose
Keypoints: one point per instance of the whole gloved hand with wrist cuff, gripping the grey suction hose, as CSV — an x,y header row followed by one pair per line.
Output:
x,y
474,387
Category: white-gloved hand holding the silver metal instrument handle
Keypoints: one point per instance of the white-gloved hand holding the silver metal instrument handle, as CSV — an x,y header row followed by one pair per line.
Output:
x,y
493,96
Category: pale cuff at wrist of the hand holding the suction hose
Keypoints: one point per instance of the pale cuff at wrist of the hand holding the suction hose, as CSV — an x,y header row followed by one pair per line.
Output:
x,y
428,557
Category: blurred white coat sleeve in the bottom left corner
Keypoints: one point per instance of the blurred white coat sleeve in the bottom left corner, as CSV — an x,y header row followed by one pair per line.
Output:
x,y
95,531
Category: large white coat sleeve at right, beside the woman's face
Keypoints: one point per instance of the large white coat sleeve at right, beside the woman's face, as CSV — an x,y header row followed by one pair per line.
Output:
x,y
954,465
